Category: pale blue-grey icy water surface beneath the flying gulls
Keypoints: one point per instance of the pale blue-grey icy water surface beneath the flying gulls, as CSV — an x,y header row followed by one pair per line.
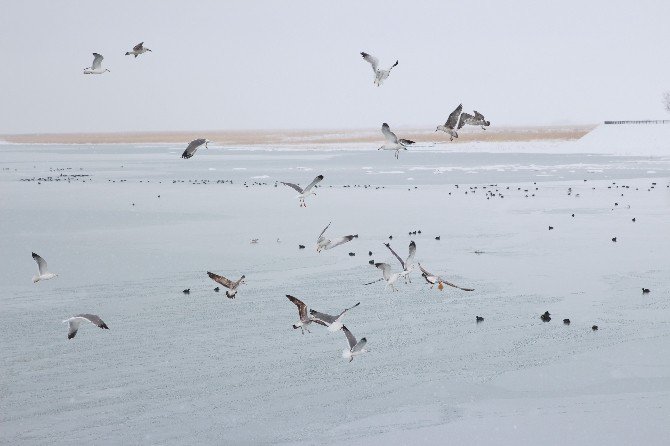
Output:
x,y
177,369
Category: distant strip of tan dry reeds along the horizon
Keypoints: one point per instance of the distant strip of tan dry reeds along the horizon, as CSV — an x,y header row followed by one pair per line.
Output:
x,y
305,137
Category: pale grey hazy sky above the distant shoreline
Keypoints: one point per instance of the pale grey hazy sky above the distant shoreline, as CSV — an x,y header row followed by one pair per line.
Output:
x,y
296,65
